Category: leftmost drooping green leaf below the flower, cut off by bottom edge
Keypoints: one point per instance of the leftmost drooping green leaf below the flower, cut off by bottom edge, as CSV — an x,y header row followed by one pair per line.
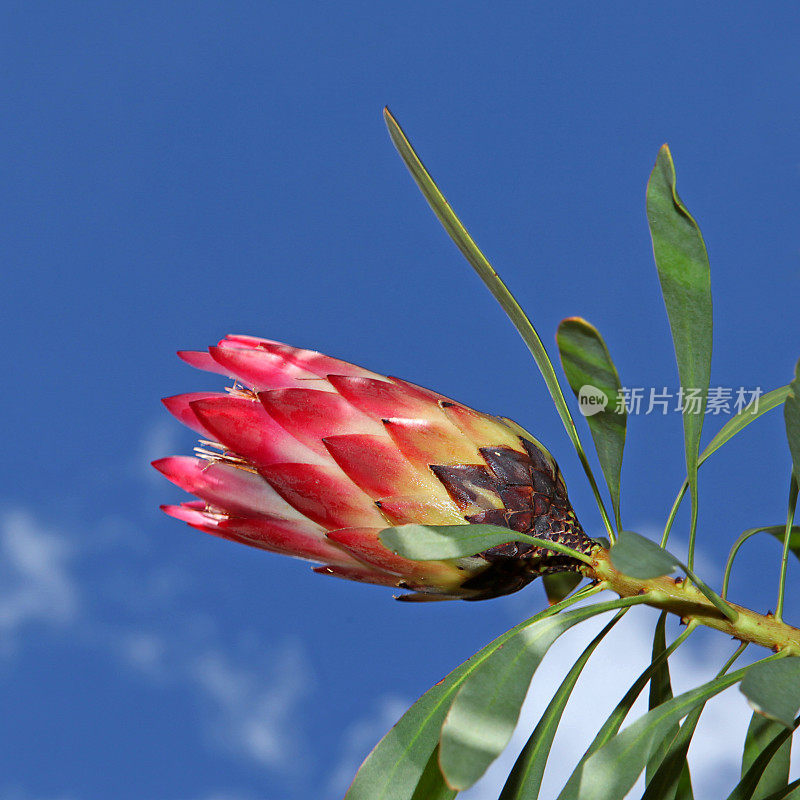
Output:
x,y
396,764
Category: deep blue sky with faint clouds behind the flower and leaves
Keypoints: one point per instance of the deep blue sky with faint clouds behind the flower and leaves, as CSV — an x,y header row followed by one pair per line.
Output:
x,y
175,172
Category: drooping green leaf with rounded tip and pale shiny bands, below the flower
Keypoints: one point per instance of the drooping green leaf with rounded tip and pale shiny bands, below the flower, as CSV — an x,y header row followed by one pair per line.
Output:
x,y
486,708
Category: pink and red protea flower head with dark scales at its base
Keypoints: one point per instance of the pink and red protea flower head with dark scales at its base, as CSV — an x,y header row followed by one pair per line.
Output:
x,y
312,457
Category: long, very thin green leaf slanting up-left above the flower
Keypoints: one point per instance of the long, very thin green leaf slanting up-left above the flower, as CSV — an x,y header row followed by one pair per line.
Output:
x,y
478,261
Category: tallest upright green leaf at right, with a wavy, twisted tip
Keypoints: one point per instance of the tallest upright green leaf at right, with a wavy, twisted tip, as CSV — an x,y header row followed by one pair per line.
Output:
x,y
684,273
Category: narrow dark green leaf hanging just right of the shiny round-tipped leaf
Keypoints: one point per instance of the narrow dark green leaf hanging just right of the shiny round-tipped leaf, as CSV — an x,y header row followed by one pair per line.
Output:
x,y
525,779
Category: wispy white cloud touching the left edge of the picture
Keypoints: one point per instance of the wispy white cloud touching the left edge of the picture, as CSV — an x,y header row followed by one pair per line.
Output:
x,y
35,583
